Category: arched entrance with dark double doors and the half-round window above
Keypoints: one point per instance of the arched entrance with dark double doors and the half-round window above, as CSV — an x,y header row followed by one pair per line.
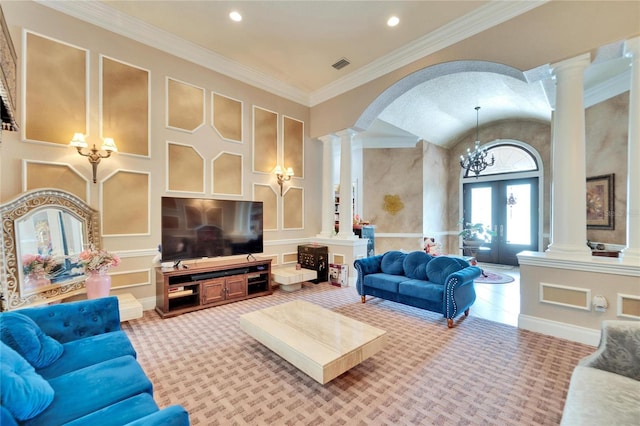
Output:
x,y
507,198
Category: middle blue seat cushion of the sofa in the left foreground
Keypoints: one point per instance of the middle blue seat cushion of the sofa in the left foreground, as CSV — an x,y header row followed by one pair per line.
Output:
x,y
89,389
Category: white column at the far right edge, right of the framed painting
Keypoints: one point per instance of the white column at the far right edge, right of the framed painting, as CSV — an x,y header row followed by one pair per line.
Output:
x,y
632,251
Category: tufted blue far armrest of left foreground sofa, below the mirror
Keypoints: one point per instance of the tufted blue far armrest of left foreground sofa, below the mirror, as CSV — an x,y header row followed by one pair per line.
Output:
x,y
66,322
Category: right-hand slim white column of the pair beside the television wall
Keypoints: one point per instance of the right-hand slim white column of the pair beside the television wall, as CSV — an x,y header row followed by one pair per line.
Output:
x,y
346,190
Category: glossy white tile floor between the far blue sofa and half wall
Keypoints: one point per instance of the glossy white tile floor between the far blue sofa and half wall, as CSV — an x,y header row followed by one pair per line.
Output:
x,y
498,302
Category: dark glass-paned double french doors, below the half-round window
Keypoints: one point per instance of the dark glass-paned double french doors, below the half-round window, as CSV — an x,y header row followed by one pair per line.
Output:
x,y
510,209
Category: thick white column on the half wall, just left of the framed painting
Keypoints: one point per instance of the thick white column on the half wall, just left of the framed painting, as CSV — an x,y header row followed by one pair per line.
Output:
x,y
568,215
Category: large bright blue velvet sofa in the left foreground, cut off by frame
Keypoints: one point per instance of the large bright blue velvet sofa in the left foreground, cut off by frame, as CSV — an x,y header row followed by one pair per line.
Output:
x,y
71,364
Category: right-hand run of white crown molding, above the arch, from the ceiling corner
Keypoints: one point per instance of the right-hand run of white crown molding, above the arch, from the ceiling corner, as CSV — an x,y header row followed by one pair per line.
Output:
x,y
467,26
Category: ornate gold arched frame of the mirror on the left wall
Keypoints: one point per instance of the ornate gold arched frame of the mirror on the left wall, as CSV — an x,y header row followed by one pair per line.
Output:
x,y
13,291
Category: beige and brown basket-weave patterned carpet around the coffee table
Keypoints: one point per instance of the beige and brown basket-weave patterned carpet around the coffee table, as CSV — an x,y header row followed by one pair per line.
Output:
x,y
478,373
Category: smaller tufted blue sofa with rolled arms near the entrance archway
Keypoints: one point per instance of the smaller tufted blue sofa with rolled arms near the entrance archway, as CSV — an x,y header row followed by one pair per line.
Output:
x,y
442,284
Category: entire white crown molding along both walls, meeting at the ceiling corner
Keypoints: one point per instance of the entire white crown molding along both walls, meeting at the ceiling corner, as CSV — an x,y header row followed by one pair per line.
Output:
x,y
103,16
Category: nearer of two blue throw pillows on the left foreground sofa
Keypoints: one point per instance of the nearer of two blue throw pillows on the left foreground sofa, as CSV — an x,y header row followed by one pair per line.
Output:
x,y
24,392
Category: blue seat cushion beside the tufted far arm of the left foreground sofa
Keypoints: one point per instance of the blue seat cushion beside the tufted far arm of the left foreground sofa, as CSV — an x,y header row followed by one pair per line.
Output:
x,y
88,351
